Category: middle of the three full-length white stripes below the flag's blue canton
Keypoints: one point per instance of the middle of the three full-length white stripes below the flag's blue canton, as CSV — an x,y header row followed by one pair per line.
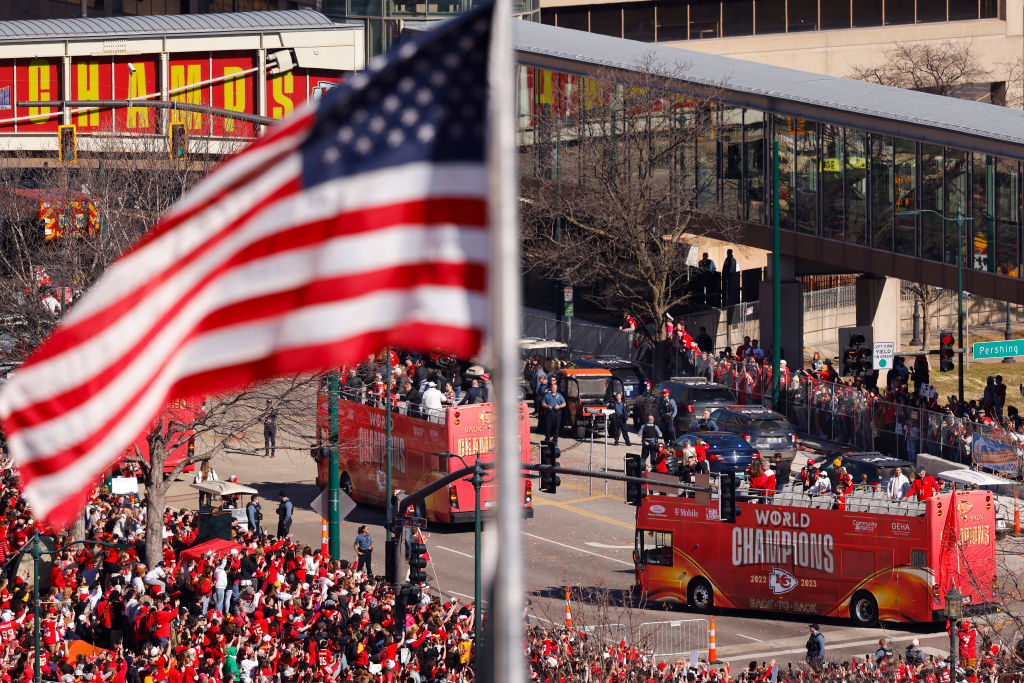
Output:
x,y
401,246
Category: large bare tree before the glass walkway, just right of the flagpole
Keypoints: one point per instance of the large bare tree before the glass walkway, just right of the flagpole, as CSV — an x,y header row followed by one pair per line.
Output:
x,y
617,187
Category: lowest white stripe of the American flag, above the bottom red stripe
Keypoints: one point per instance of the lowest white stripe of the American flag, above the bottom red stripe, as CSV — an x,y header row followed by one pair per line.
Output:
x,y
315,325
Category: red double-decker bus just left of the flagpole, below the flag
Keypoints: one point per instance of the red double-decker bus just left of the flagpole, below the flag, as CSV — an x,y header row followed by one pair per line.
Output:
x,y
419,445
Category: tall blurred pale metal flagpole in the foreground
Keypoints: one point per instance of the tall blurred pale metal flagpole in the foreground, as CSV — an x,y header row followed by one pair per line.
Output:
x,y
505,623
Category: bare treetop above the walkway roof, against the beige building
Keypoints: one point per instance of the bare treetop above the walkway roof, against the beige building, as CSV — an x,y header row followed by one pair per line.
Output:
x,y
937,68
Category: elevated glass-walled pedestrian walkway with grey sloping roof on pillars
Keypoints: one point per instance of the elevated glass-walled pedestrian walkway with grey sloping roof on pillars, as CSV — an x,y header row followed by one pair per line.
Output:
x,y
854,155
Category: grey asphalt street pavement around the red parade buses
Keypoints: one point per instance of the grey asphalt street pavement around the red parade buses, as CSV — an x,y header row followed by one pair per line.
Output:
x,y
580,538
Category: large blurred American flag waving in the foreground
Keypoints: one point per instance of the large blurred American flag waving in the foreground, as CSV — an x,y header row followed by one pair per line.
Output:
x,y
362,222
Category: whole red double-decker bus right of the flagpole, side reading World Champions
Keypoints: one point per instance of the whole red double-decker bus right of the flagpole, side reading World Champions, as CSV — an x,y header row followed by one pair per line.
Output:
x,y
877,561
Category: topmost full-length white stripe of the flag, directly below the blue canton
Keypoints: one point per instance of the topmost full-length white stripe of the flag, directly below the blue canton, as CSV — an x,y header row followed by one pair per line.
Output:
x,y
80,364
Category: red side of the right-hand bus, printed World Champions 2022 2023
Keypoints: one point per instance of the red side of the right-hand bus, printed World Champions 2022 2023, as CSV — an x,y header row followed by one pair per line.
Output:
x,y
795,561
